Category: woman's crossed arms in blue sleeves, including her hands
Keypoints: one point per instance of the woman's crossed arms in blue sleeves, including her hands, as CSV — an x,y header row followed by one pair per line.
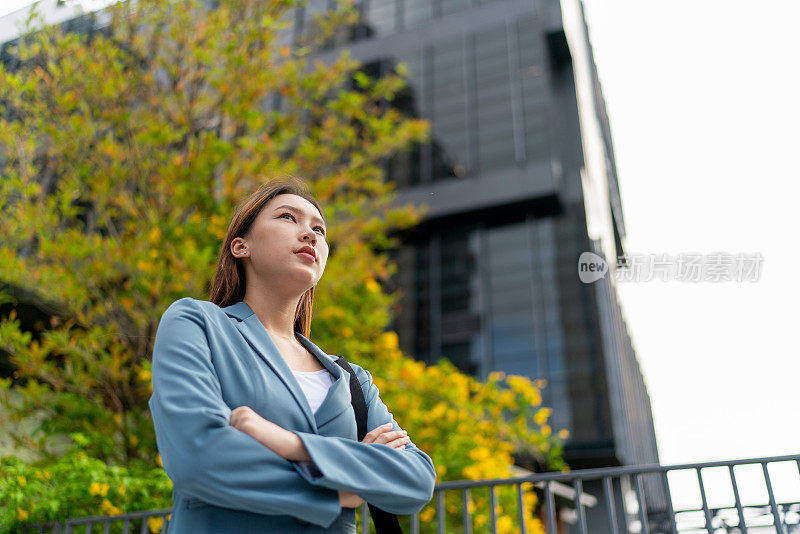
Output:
x,y
210,459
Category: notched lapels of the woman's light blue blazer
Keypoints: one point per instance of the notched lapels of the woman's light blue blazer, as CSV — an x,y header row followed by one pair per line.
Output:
x,y
257,336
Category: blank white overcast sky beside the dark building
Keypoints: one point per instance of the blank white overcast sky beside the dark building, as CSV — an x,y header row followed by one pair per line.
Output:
x,y
702,98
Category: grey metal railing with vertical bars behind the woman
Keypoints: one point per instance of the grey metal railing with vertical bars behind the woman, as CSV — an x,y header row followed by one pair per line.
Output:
x,y
607,500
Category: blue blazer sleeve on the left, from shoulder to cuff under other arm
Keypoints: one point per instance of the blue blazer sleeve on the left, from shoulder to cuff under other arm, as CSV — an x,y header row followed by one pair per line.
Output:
x,y
205,457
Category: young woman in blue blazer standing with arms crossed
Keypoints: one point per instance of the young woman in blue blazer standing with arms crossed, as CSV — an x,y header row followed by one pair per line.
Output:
x,y
253,421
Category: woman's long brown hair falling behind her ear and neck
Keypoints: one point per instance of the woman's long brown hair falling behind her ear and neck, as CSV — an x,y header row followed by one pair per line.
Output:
x,y
229,283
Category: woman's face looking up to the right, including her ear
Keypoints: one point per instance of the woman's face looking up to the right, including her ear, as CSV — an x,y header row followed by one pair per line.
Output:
x,y
285,224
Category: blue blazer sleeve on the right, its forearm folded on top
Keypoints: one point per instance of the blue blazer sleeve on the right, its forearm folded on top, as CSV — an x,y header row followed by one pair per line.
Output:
x,y
399,481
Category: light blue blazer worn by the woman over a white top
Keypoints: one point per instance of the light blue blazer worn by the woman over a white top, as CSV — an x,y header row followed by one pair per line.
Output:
x,y
209,360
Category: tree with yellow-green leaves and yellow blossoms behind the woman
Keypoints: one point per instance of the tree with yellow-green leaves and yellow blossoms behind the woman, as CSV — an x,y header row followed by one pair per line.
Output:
x,y
123,151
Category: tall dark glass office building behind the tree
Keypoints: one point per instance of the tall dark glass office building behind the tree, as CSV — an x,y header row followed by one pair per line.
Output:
x,y
520,179
